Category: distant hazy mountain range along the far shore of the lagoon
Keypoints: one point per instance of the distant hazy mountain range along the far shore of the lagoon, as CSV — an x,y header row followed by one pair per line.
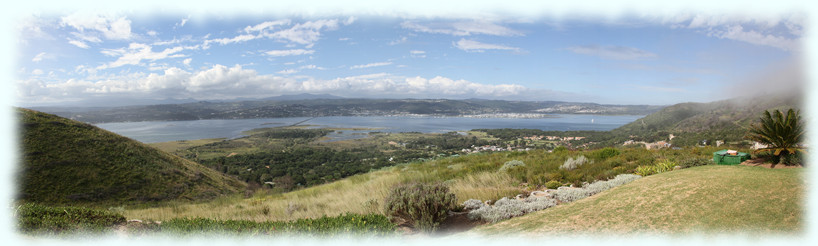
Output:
x,y
311,105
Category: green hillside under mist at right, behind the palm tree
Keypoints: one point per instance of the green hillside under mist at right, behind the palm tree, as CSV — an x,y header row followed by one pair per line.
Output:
x,y
691,122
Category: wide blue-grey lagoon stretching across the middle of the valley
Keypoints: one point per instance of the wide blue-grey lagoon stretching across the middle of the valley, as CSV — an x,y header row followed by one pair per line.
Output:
x,y
164,131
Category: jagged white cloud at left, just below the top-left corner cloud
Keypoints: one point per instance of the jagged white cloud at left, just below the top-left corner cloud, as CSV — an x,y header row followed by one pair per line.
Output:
x,y
137,52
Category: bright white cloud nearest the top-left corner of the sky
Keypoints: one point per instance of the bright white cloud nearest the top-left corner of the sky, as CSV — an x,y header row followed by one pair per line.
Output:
x,y
112,28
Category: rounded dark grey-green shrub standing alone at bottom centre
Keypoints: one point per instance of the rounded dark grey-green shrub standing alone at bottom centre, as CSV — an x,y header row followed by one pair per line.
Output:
x,y
423,205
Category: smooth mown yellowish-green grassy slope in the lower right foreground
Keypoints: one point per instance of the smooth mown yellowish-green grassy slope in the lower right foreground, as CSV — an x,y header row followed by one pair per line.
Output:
x,y
702,199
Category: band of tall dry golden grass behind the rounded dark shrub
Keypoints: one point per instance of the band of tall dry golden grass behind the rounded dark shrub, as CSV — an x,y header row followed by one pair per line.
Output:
x,y
362,194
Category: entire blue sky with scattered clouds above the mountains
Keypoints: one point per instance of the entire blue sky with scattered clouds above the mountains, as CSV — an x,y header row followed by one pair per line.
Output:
x,y
75,57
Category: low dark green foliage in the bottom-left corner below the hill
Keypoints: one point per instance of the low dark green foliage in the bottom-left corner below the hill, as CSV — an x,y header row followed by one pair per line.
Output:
x,y
41,219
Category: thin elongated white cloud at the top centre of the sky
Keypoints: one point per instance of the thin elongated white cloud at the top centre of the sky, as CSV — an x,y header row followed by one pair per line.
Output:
x,y
463,28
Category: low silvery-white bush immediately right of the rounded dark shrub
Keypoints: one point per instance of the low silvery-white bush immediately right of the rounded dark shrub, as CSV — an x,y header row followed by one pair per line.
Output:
x,y
506,208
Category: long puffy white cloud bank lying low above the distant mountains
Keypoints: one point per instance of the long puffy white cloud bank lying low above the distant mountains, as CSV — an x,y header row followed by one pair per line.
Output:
x,y
222,82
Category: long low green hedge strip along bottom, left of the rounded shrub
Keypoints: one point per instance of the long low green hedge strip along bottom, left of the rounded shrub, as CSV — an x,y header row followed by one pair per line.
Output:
x,y
369,224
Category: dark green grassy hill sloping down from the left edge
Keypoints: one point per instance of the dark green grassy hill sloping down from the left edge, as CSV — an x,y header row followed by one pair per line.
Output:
x,y
66,161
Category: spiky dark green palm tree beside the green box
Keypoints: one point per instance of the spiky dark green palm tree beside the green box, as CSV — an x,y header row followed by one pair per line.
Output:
x,y
780,133
